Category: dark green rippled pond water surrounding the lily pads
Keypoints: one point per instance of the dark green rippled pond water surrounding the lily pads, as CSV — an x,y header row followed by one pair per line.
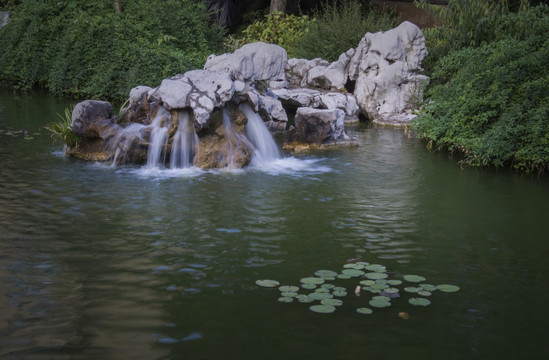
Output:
x,y
101,262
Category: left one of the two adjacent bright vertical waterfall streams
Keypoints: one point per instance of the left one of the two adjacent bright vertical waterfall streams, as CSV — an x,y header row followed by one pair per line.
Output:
x,y
158,138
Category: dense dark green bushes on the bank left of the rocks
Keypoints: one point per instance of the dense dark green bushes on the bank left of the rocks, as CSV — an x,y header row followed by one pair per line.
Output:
x,y
86,49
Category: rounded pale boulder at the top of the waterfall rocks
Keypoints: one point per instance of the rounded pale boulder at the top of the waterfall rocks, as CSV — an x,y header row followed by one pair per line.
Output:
x,y
252,62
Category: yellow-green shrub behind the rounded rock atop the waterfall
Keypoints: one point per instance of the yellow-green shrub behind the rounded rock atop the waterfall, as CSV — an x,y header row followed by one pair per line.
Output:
x,y
276,28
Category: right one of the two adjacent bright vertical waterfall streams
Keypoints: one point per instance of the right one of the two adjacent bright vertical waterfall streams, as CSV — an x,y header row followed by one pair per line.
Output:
x,y
184,142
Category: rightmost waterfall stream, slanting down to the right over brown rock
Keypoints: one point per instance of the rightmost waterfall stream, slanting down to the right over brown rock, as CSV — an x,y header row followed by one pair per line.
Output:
x,y
266,150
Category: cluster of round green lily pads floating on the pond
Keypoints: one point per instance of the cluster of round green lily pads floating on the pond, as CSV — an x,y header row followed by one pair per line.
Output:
x,y
368,278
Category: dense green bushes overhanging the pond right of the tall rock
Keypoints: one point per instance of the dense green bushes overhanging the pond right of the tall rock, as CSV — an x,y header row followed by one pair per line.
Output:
x,y
490,103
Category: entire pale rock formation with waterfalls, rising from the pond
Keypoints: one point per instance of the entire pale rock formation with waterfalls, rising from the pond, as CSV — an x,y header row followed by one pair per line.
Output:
x,y
200,118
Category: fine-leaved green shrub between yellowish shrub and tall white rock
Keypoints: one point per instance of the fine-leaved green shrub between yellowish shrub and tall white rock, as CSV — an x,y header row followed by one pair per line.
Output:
x,y
339,26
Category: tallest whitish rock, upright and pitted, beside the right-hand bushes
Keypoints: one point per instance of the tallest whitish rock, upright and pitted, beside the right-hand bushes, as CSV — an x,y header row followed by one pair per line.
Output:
x,y
386,67
